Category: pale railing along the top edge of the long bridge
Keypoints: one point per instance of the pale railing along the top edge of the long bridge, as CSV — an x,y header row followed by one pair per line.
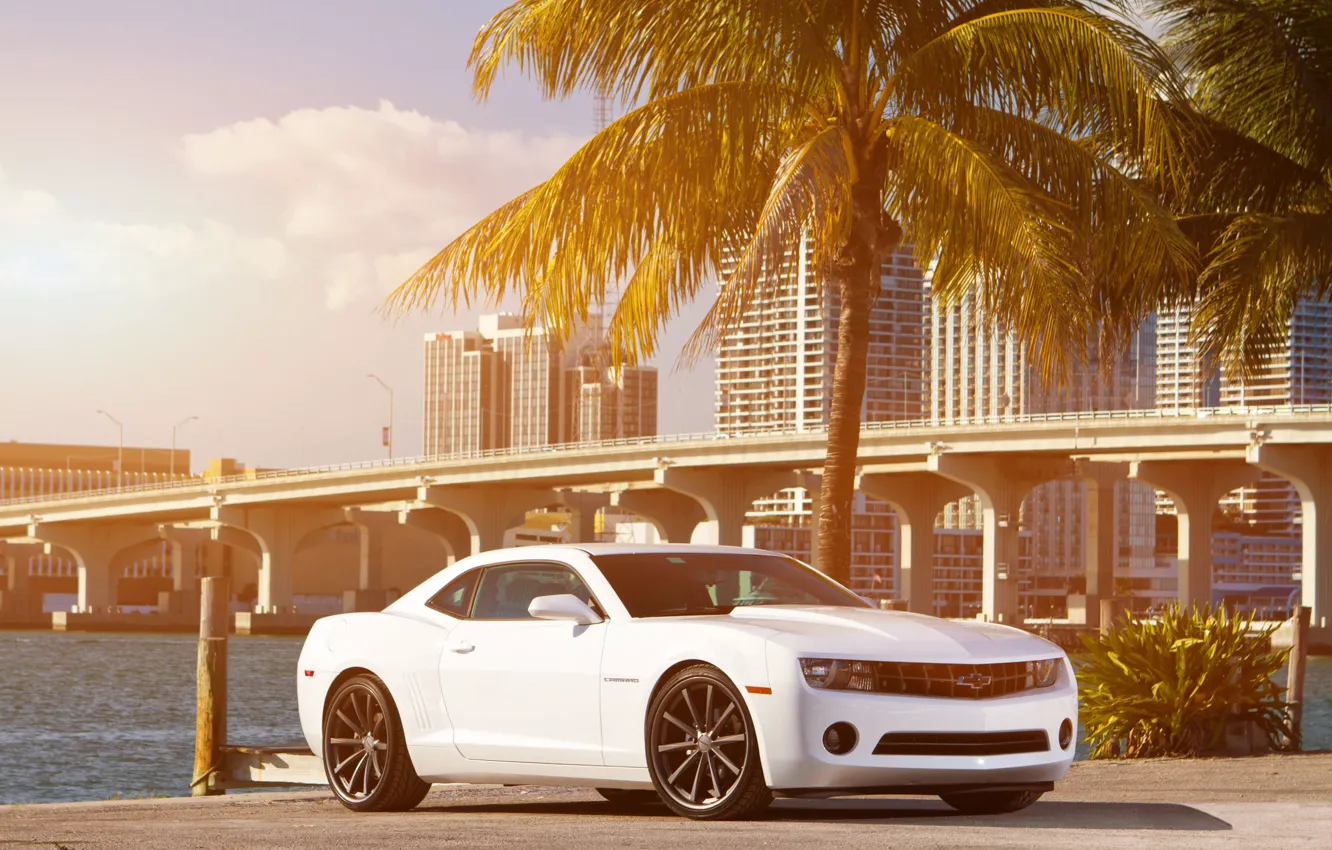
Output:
x,y
673,440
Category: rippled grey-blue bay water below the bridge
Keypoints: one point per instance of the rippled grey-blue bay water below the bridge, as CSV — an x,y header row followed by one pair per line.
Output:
x,y
113,716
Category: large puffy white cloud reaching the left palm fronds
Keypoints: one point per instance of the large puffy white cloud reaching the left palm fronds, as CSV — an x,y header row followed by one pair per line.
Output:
x,y
370,194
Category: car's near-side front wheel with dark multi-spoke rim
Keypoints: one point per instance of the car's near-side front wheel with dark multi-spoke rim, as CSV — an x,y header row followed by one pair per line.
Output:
x,y
689,711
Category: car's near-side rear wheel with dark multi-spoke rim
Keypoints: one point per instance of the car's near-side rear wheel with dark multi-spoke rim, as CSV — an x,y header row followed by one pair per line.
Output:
x,y
366,753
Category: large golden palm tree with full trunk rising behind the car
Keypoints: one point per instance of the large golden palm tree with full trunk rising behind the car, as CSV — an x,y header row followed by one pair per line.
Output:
x,y
992,137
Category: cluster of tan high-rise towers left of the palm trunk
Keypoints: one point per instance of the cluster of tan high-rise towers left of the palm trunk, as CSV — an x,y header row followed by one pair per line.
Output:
x,y
504,386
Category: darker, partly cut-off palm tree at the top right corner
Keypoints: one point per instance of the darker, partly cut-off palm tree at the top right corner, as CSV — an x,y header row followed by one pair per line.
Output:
x,y
1261,205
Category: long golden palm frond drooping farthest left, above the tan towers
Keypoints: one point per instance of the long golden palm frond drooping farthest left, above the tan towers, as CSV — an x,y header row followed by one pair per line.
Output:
x,y
696,162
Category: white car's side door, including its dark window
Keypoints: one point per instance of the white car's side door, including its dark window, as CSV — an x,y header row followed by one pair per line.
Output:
x,y
521,689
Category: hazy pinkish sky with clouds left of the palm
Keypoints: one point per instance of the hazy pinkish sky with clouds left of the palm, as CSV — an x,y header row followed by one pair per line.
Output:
x,y
203,206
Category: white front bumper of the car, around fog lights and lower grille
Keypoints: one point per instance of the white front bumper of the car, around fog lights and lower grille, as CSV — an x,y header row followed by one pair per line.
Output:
x,y
793,719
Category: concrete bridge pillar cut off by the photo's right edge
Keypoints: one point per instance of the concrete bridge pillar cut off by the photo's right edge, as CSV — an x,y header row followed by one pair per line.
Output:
x,y
1310,470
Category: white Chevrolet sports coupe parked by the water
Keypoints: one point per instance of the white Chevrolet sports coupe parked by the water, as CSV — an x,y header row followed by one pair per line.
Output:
x,y
709,677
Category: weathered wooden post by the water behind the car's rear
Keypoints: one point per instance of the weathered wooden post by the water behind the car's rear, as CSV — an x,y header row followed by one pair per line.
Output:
x,y
211,704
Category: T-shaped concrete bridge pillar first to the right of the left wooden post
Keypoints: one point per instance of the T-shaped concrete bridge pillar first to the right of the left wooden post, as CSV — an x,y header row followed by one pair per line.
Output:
x,y
278,534
